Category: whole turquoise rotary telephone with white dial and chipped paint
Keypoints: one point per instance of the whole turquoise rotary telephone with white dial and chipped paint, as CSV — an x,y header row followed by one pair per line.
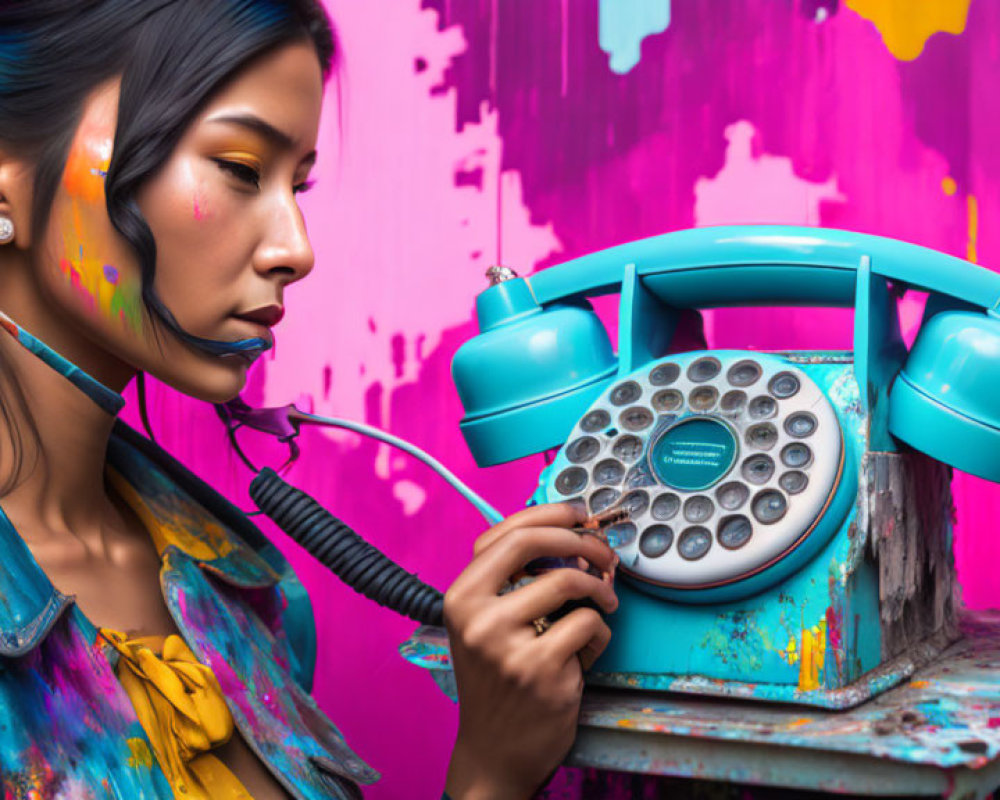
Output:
x,y
789,531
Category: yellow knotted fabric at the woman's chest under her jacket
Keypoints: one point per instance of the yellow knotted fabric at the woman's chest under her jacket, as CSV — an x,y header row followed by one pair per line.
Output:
x,y
183,712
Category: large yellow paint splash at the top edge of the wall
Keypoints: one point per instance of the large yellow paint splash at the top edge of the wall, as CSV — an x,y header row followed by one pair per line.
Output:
x,y
906,25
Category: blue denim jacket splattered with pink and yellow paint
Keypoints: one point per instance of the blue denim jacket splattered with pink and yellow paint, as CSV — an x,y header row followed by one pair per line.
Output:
x,y
67,729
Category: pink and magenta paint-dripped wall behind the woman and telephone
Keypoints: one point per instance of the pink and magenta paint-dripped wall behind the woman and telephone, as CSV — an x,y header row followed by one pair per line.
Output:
x,y
533,132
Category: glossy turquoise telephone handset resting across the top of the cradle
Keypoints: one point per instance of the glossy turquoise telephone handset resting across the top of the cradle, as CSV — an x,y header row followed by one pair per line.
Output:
x,y
542,355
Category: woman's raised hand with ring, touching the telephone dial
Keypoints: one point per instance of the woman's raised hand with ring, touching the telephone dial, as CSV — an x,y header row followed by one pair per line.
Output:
x,y
519,691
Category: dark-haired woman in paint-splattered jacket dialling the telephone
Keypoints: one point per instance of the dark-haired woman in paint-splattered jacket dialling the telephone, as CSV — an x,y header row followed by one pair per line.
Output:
x,y
150,156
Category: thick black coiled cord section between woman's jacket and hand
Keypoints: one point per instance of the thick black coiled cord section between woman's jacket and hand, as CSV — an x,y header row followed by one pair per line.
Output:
x,y
364,568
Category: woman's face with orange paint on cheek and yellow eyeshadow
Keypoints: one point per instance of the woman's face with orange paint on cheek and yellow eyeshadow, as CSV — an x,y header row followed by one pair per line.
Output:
x,y
223,212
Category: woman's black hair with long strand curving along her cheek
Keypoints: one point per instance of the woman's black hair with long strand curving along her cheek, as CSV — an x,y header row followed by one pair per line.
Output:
x,y
173,55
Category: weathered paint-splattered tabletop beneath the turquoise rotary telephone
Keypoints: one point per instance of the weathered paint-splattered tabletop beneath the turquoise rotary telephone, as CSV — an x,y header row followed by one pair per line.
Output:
x,y
935,735
